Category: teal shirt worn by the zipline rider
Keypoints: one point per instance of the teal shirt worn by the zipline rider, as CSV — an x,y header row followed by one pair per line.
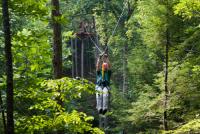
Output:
x,y
103,81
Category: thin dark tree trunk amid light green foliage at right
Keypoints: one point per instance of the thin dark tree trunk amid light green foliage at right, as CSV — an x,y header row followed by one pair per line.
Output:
x,y
166,80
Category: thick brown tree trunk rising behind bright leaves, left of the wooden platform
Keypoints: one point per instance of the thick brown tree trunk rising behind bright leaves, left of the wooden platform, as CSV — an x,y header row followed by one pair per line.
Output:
x,y
57,40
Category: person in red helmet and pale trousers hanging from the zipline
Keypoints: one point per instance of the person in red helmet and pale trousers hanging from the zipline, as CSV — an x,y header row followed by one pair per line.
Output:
x,y
103,74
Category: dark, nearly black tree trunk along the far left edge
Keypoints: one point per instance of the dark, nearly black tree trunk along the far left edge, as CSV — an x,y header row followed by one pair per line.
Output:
x,y
9,67
